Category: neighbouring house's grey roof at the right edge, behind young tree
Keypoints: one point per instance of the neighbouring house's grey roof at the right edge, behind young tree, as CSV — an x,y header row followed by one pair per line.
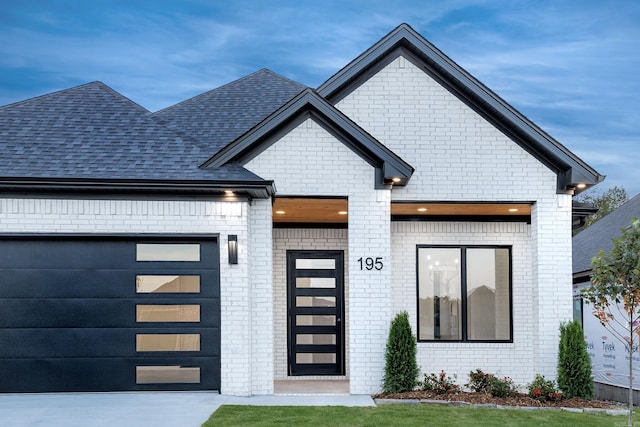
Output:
x,y
596,237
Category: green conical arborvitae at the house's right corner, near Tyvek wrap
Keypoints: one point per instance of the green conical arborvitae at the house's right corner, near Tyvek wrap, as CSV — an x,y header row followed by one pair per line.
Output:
x,y
574,365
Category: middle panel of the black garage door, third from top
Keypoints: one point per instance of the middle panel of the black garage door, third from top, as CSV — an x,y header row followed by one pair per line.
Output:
x,y
107,313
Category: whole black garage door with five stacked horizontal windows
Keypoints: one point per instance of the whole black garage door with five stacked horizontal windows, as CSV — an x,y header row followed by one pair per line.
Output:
x,y
109,313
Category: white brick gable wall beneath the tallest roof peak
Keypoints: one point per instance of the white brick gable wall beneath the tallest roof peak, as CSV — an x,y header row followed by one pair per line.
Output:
x,y
457,154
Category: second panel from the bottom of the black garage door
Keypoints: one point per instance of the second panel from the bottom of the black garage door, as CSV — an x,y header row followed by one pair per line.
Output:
x,y
99,342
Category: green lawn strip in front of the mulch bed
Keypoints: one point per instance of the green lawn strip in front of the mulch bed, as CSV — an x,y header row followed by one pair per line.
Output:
x,y
404,415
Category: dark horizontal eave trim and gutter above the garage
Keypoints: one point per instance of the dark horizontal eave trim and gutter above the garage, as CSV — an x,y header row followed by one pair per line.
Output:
x,y
98,187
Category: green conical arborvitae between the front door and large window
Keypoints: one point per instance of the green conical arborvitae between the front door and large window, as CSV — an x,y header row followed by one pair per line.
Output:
x,y
401,369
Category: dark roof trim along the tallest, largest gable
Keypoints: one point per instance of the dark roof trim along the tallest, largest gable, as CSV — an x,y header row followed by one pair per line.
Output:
x,y
404,40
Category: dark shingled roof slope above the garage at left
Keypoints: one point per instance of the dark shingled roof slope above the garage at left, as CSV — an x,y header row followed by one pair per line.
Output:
x,y
92,131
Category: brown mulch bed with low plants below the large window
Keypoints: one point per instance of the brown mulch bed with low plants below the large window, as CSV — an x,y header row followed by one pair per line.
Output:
x,y
485,398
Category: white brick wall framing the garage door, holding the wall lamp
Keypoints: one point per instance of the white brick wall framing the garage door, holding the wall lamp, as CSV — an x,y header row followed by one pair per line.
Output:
x,y
22,215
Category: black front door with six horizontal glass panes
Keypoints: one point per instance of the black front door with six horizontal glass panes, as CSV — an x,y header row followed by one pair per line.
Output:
x,y
315,312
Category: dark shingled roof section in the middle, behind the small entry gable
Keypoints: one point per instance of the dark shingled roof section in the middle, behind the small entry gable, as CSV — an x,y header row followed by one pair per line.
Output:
x,y
221,115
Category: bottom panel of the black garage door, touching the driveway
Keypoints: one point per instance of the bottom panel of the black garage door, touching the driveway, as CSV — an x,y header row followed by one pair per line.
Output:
x,y
89,374
